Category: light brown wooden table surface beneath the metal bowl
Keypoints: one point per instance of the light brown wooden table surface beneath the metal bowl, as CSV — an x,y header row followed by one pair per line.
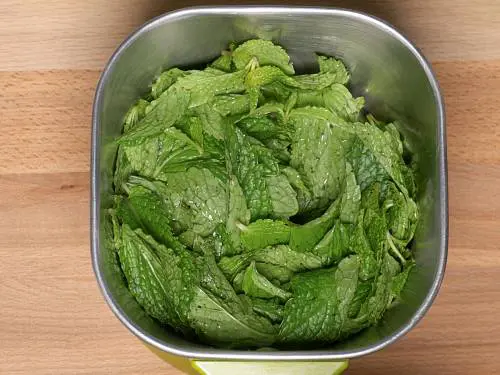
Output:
x,y
52,316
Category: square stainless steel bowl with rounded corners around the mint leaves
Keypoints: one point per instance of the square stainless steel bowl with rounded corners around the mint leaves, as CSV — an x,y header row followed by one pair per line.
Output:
x,y
386,68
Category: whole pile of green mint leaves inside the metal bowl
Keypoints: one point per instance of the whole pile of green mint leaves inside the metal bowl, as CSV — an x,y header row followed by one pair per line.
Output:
x,y
255,207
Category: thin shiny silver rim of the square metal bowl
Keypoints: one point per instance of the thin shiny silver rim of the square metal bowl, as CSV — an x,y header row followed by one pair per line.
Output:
x,y
223,354
